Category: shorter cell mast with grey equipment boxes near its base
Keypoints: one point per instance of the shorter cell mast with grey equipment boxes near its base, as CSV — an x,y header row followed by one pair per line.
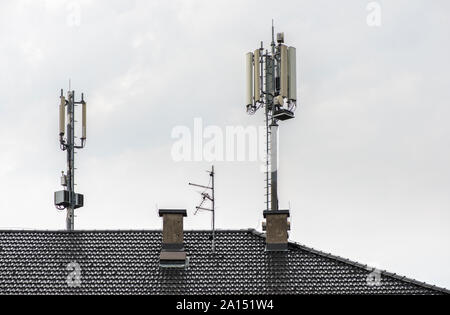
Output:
x,y
67,198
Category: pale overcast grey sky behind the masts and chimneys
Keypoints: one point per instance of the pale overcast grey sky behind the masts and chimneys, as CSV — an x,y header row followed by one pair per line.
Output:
x,y
364,166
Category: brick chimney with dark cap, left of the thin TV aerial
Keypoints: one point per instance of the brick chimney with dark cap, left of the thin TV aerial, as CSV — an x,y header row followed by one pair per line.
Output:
x,y
172,251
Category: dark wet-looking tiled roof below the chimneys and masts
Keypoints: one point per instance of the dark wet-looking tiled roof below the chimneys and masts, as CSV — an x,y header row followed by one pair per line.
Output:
x,y
127,262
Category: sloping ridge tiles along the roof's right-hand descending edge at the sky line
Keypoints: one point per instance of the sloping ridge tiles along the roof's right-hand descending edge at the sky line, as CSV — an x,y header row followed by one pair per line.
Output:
x,y
360,265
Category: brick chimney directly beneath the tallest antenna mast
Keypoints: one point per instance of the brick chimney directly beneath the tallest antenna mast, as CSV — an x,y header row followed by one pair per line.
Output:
x,y
276,227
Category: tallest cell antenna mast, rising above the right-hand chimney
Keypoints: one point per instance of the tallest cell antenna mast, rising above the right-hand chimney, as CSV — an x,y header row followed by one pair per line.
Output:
x,y
272,85
